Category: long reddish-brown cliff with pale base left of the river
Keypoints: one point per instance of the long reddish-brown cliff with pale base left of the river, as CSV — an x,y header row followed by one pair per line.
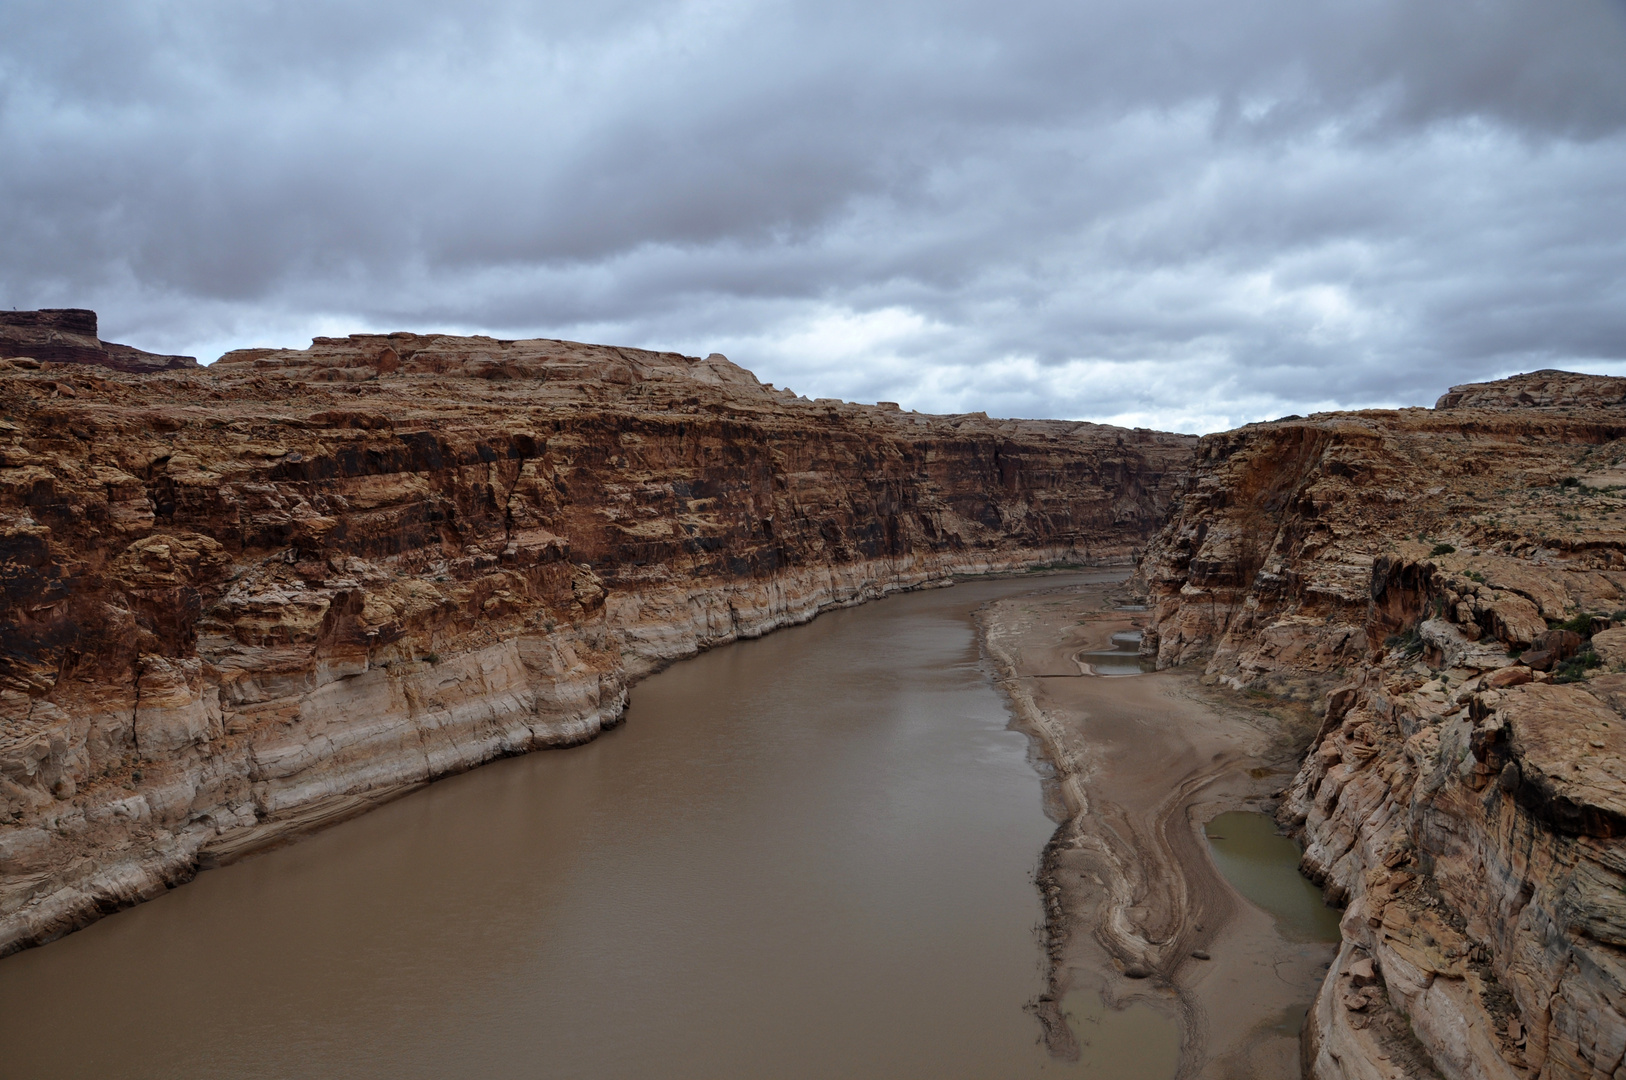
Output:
x,y
256,598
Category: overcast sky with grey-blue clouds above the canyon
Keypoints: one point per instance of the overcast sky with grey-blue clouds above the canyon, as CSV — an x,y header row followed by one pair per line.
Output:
x,y
1176,214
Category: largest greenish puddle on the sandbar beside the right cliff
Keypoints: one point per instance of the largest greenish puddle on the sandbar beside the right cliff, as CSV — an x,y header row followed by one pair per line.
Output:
x,y
1264,866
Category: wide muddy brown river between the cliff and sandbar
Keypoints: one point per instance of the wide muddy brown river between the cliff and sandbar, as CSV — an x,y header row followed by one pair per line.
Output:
x,y
802,856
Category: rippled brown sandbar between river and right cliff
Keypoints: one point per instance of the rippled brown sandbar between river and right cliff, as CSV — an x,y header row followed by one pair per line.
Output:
x,y
1139,765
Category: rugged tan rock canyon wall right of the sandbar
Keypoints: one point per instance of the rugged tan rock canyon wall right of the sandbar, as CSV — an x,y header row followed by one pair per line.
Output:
x,y
1445,585
